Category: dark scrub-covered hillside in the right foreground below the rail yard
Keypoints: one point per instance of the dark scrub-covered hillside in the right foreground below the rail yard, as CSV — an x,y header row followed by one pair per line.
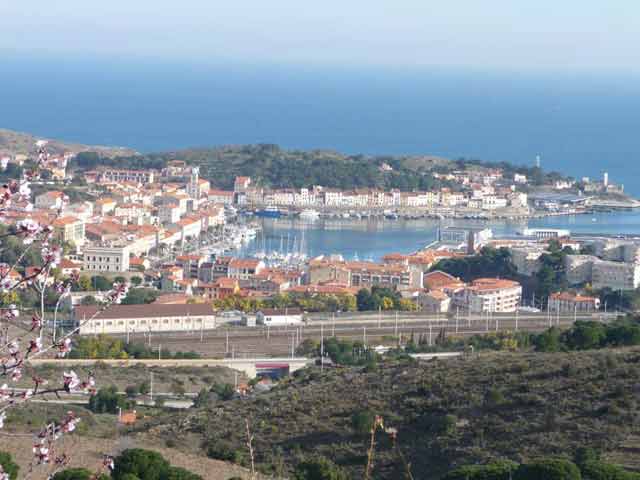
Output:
x,y
447,413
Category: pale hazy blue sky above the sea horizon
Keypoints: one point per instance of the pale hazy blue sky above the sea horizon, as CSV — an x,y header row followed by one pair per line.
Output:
x,y
477,33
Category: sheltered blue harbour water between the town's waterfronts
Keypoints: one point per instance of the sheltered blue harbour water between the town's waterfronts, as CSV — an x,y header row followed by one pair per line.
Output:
x,y
371,239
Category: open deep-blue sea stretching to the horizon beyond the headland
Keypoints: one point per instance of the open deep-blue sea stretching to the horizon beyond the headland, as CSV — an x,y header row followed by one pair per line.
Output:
x,y
581,124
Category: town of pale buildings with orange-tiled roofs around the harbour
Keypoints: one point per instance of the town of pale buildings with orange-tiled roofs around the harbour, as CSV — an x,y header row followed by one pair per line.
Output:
x,y
169,231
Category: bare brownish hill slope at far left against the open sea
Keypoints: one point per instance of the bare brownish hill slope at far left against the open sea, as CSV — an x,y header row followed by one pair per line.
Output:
x,y
16,143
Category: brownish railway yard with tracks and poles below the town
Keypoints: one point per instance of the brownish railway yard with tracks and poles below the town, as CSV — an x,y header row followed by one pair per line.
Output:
x,y
240,342
